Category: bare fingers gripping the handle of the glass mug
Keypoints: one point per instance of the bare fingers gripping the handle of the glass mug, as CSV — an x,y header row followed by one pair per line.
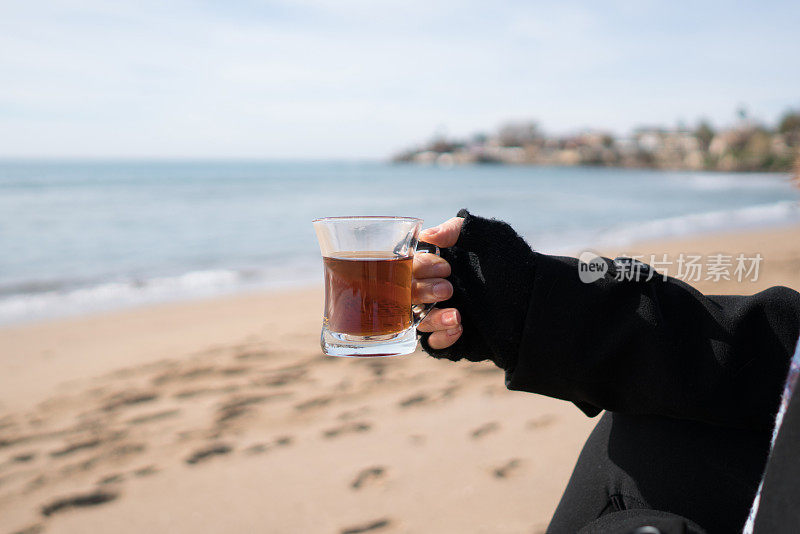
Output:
x,y
429,285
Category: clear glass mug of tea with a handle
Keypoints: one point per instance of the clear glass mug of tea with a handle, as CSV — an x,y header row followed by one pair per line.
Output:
x,y
367,260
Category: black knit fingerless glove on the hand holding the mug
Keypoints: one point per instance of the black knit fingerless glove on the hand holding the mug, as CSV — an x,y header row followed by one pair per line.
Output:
x,y
492,277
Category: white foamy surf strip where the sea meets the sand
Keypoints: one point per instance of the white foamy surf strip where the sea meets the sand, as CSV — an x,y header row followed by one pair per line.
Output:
x,y
112,296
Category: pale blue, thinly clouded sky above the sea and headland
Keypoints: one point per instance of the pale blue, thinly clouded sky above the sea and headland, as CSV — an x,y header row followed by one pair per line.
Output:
x,y
353,79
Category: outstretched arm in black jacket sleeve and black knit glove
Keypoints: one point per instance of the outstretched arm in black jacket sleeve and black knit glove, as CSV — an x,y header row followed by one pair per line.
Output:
x,y
655,347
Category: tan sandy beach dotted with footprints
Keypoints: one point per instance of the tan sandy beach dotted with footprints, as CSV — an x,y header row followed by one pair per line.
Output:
x,y
222,416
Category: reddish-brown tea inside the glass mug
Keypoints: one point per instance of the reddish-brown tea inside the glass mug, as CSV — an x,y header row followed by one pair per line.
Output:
x,y
367,293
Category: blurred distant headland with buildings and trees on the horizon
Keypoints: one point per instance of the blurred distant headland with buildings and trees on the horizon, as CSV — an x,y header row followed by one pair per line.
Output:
x,y
746,146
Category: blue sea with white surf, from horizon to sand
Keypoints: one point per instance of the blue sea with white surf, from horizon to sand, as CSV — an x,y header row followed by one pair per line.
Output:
x,y
77,237
